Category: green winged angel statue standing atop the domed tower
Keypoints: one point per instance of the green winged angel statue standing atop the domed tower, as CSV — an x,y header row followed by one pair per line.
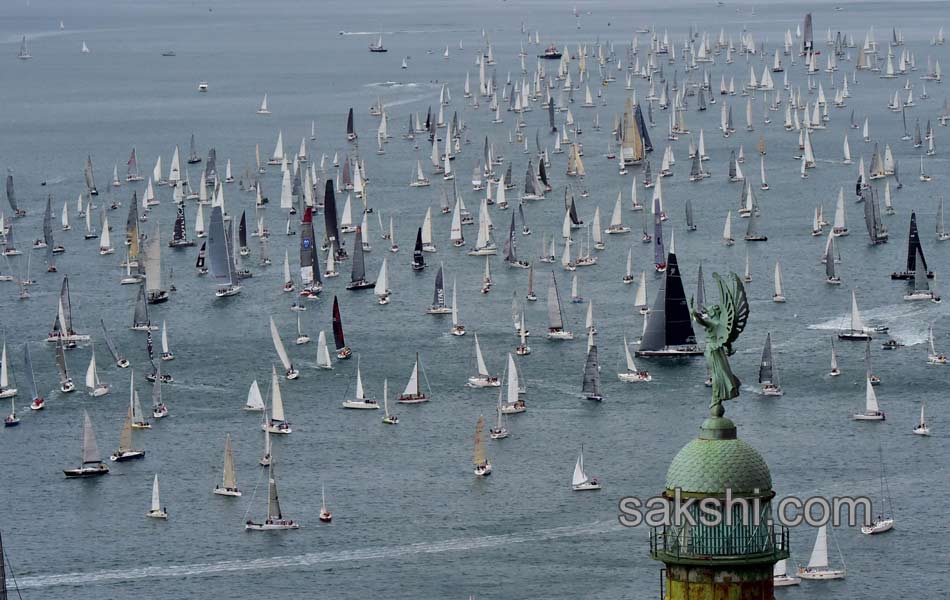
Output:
x,y
723,323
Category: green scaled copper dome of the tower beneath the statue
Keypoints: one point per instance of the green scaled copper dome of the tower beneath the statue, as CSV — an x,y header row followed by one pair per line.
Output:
x,y
716,461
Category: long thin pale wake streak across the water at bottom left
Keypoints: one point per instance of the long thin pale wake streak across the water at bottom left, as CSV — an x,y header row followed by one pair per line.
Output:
x,y
318,558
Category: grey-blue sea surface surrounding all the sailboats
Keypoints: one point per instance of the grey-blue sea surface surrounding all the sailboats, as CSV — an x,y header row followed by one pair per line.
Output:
x,y
410,520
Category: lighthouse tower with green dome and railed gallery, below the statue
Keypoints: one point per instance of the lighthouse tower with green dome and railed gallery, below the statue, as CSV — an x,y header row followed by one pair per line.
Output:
x,y
711,561
